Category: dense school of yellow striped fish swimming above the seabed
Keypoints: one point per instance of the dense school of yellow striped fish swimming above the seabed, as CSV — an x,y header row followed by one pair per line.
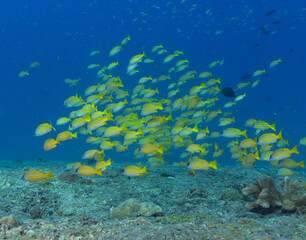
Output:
x,y
112,117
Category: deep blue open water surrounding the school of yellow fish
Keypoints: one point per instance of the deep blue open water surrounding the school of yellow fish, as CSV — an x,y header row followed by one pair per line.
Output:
x,y
61,34
